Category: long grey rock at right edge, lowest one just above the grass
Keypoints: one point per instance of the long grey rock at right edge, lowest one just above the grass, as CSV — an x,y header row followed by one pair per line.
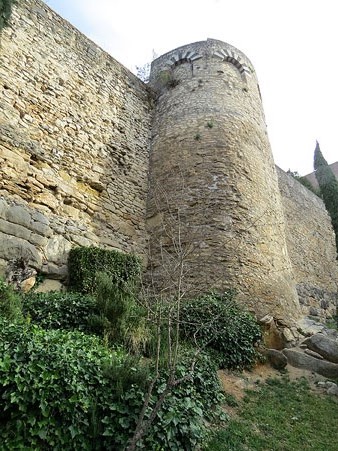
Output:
x,y
301,360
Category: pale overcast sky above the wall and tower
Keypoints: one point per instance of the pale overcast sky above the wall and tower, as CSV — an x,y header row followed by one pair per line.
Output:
x,y
292,44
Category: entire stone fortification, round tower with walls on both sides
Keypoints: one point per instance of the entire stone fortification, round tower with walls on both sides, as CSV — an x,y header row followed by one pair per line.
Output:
x,y
79,134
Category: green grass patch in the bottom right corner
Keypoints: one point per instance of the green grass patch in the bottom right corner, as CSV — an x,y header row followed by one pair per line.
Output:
x,y
281,416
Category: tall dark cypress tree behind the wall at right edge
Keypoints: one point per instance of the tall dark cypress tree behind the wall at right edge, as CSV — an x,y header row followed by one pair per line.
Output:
x,y
328,185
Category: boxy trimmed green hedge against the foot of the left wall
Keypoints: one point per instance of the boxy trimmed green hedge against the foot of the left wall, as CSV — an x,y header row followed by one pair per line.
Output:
x,y
85,262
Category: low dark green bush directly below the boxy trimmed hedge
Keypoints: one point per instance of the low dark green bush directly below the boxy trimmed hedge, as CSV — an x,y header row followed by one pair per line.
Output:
x,y
61,310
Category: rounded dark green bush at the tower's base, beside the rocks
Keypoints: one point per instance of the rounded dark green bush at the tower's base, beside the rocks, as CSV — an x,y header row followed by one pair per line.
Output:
x,y
217,322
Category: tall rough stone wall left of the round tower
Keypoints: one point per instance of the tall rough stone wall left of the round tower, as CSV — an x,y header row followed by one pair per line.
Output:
x,y
74,139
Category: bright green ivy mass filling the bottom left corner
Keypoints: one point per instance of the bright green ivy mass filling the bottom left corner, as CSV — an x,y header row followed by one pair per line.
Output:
x,y
56,388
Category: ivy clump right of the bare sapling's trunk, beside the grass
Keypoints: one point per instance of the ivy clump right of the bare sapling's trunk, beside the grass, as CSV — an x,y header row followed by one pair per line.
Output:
x,y
182,421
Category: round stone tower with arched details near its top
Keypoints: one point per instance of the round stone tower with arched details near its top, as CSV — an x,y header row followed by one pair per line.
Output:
x,y
214,213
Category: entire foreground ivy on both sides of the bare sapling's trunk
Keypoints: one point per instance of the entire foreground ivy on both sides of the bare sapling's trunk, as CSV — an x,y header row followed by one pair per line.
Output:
x,y
66,390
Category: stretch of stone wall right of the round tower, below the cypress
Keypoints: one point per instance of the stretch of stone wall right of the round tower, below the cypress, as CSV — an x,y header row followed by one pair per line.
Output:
x,y
311,247
